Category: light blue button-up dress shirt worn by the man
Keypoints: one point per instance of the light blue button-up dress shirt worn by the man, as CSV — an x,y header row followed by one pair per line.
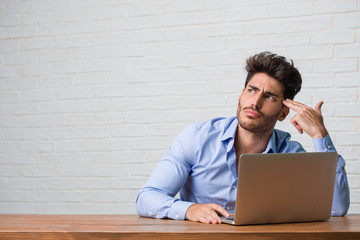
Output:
x,y
201,164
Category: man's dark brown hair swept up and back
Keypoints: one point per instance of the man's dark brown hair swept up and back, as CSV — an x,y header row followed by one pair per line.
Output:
x,y
276,67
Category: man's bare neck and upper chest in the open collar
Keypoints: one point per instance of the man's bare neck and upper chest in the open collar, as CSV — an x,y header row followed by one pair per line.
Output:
x,y
249,142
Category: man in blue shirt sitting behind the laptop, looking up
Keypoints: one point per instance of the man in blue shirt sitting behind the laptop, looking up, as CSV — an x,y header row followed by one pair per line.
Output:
x,y
202,161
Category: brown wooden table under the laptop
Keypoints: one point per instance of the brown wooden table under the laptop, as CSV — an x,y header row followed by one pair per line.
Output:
x,y
134,227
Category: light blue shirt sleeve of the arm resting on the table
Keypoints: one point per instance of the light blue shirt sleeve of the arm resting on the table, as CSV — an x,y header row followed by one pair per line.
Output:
x,y
157,198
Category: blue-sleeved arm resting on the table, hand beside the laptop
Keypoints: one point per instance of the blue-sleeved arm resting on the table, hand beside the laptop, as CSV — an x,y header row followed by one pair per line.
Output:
x,y
156,199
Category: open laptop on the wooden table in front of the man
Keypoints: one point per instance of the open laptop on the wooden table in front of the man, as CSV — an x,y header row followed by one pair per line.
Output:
x,y
284,187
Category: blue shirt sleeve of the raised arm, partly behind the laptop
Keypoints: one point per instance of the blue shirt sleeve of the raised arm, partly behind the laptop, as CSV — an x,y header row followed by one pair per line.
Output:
x,y
341,199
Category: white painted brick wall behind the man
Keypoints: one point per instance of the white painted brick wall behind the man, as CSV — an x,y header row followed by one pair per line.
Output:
x,y
93,92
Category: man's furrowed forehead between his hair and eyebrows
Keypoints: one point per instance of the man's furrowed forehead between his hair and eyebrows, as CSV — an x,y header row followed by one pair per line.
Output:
x,y
266,83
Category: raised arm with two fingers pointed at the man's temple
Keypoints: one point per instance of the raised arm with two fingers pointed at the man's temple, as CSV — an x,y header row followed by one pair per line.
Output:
x,y
311,121
